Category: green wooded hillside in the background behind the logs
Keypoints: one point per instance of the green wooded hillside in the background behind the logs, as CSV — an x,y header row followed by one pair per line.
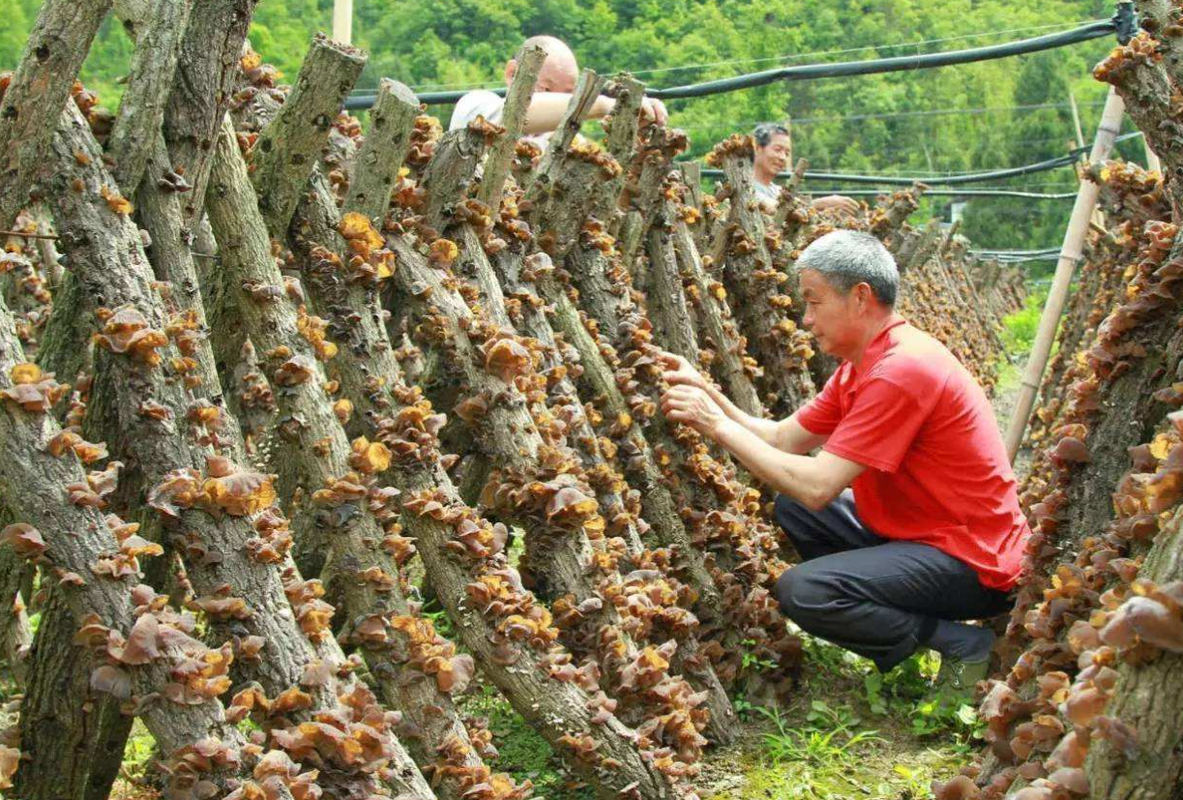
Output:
x,y
934,122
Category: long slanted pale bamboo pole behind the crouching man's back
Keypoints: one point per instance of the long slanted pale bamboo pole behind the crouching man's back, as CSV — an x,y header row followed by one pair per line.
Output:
x,y
1070,254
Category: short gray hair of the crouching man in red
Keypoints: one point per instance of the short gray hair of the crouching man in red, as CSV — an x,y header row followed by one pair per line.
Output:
x,y
848,259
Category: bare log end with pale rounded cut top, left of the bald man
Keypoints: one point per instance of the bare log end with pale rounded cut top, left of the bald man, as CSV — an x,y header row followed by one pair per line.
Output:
x,y
376,170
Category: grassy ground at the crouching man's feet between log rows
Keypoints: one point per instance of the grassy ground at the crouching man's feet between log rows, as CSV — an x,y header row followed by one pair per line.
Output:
x,y
849,732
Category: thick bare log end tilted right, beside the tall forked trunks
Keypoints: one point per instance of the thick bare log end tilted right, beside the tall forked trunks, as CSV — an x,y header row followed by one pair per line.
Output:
x,y
288,149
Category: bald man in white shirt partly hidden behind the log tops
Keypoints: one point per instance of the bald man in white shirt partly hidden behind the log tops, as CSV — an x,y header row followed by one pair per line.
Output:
x,y
552,94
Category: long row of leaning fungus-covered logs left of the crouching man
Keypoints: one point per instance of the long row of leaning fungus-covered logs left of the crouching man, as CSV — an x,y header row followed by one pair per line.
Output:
x,y
257,307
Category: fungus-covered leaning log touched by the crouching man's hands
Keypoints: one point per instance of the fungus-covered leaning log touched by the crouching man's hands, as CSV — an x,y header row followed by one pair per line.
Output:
x,y
700,491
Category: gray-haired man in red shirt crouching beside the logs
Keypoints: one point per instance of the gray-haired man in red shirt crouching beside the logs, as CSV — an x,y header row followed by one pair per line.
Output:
x,y
932,533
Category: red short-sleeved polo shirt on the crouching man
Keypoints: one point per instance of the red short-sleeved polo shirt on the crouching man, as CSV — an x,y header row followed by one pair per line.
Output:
x,y
938,472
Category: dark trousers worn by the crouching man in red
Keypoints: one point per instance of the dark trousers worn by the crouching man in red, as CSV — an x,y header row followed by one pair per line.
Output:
x,y
878,598
